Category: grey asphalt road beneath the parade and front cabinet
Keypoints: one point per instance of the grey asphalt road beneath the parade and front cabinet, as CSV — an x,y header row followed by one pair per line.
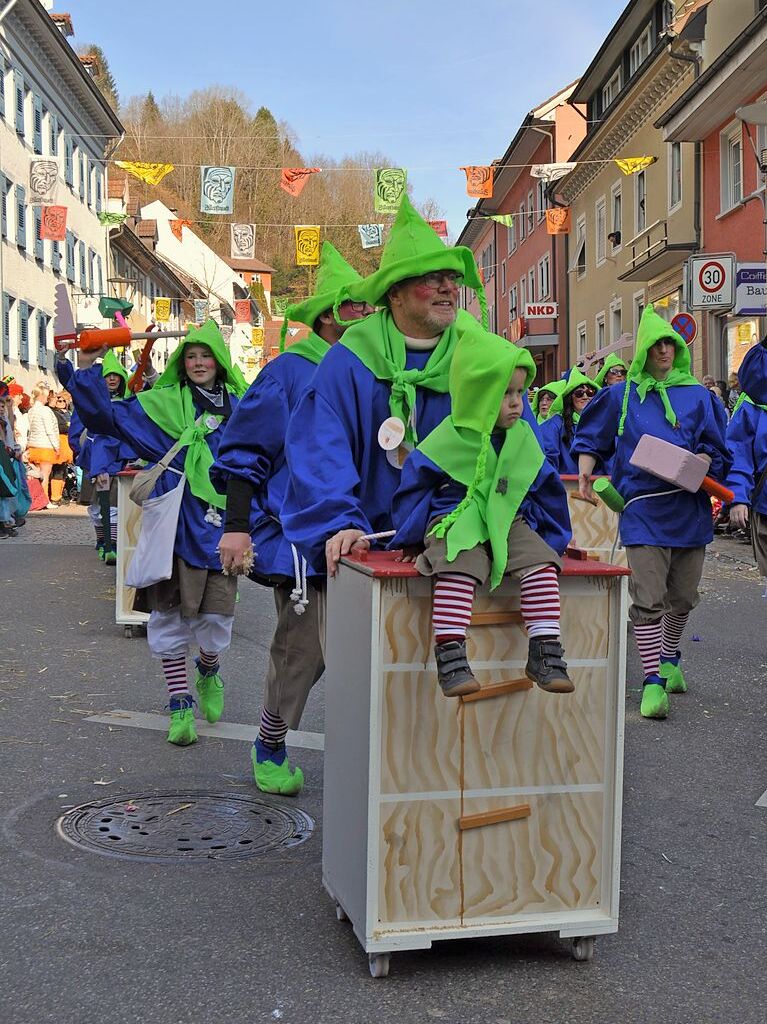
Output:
x,y
88,938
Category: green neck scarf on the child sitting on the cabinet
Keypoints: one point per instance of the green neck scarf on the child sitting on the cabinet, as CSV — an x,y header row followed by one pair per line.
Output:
x,y
497,486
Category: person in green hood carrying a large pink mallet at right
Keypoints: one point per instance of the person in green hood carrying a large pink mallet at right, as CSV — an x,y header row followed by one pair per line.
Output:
x,y
664,529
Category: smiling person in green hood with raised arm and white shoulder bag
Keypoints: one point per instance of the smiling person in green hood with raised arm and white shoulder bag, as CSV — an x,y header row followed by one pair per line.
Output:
x,y
196,395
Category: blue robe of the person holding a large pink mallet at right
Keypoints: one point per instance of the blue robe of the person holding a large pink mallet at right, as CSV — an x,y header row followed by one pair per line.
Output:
x,y
678,521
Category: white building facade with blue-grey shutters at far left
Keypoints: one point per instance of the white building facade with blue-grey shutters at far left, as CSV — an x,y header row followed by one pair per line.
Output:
x,y
50,108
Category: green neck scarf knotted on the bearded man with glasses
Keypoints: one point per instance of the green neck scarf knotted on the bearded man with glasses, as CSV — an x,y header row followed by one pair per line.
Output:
x,y
377,343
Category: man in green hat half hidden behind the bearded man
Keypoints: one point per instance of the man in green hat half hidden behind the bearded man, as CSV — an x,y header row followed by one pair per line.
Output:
x,y
251,468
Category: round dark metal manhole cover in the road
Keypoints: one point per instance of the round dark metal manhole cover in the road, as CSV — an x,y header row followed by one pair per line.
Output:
x,y
168,828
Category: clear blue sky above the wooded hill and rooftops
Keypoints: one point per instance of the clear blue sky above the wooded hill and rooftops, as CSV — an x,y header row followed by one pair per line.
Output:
x,y
430,83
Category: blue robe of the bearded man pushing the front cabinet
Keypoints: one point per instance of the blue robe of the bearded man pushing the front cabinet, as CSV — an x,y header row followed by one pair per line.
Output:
x,y
339,477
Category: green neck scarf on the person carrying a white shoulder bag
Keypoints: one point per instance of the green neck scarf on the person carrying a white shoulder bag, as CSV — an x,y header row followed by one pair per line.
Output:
x,y
173,408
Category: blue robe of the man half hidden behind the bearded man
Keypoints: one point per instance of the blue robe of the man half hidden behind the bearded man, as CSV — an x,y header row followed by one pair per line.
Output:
x,y
253,448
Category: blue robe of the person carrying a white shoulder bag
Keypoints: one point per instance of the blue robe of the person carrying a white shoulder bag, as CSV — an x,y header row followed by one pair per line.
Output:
x,y
197,540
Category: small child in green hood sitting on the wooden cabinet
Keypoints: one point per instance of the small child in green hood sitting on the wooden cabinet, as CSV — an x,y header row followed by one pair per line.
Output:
x,y
481,499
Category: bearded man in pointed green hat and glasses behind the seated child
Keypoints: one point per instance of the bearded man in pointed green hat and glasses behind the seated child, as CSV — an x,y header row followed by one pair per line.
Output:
x,y
382,389
